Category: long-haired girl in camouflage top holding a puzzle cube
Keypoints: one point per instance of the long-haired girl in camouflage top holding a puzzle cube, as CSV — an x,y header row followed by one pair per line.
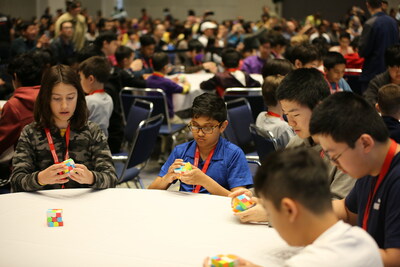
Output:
x,y
61,119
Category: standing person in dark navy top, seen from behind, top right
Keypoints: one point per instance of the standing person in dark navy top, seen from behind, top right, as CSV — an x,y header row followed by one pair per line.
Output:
x,y
379,32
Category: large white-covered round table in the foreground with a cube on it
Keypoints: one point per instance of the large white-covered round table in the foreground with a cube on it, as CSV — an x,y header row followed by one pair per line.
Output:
x,y
128,227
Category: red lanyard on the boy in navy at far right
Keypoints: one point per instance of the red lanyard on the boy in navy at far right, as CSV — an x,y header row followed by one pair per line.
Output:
x,y
385,168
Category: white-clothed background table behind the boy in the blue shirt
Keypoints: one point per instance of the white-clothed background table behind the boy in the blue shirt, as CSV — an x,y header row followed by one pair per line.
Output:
x,y
182,102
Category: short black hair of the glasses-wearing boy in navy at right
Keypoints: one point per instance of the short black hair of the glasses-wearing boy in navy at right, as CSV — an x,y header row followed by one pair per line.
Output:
x,y
345,116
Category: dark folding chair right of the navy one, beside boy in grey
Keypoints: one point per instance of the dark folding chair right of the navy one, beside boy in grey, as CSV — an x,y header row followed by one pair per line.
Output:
x,y
264,140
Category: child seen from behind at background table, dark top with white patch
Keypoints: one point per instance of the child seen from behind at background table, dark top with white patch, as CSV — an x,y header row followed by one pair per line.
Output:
x,y
232,77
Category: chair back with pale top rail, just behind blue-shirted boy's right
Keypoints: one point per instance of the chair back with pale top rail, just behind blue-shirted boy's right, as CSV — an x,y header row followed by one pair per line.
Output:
x,y
252,94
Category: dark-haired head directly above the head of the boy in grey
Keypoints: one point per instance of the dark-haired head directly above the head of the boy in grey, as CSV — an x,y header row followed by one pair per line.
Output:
x,y
304,56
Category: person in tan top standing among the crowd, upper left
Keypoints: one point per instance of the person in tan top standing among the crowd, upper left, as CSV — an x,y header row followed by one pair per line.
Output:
x,y
80,26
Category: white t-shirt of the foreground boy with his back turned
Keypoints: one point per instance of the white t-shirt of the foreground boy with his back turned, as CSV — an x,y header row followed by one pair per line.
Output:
x,y
340,245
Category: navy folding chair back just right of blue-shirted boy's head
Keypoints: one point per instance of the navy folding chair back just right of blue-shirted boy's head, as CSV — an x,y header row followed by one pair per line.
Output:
x,y
240,118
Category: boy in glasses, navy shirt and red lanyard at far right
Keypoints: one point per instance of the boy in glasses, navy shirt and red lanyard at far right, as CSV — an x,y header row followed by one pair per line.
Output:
x,y
356,139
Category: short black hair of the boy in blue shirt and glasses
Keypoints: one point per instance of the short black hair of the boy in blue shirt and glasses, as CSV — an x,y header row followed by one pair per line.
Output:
x,y
209,105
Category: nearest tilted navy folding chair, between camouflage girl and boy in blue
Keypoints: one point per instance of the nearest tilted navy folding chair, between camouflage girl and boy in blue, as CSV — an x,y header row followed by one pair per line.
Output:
x,y
140,152
